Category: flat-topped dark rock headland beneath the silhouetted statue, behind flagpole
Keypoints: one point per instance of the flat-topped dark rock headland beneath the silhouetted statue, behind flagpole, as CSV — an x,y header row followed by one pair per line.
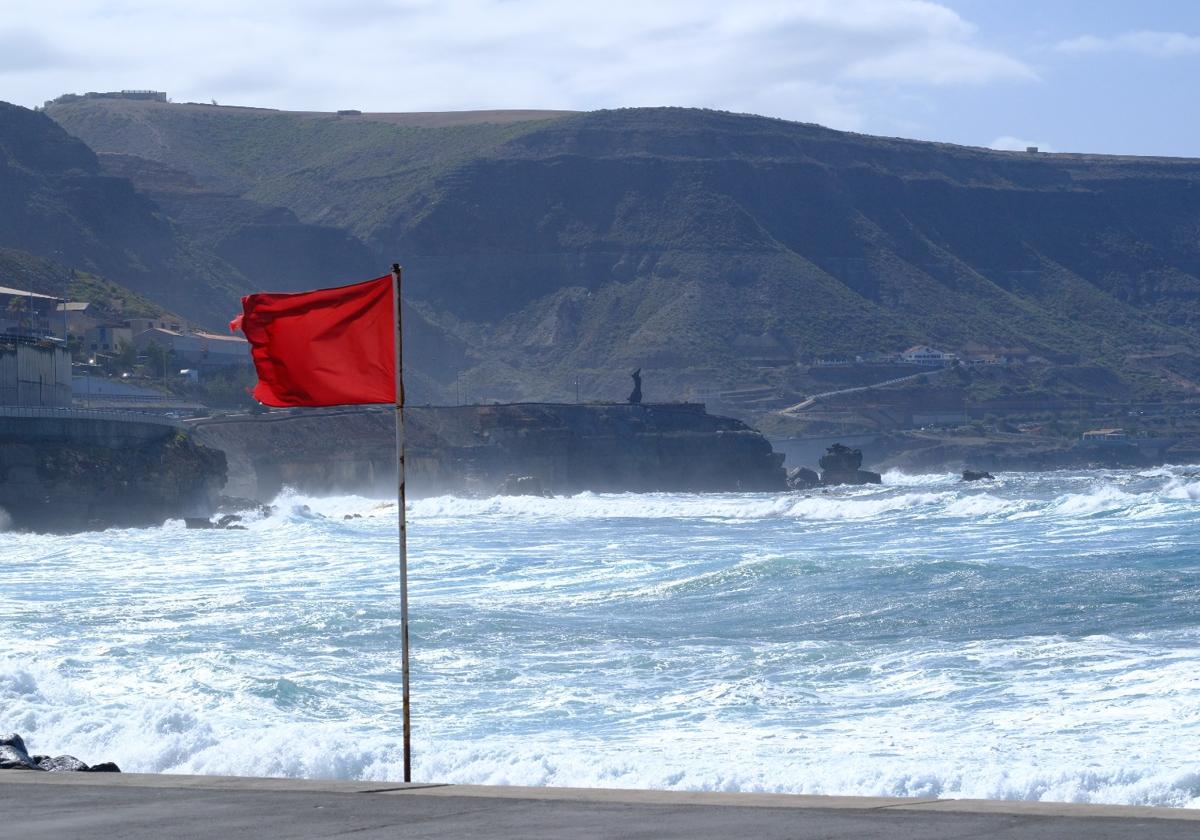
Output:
x,y
472,449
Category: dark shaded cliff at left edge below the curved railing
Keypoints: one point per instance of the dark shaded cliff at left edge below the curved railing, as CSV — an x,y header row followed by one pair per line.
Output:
x,y
73,475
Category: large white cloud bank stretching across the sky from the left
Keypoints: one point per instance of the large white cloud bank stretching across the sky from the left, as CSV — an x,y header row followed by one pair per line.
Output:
x,y
818,61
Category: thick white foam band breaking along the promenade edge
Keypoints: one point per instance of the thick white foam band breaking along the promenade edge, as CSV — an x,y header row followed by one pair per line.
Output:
x,y
885,758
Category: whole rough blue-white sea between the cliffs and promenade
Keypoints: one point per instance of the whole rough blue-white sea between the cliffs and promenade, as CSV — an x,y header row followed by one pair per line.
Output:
x,y
1037,638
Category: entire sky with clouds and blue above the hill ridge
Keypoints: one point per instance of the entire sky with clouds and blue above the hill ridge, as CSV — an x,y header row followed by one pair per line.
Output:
x,y
1113,76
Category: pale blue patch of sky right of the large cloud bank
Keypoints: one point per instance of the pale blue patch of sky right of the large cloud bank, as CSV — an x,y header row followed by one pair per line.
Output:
x,y
1112,77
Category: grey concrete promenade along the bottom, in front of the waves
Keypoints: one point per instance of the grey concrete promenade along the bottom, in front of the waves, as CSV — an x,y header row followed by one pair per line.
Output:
x,y
157,807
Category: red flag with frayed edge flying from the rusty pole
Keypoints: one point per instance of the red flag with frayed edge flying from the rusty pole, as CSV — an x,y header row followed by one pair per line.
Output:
x,y
331,347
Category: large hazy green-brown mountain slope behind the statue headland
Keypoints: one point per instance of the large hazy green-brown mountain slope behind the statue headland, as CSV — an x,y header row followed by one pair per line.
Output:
x,y
560,247
